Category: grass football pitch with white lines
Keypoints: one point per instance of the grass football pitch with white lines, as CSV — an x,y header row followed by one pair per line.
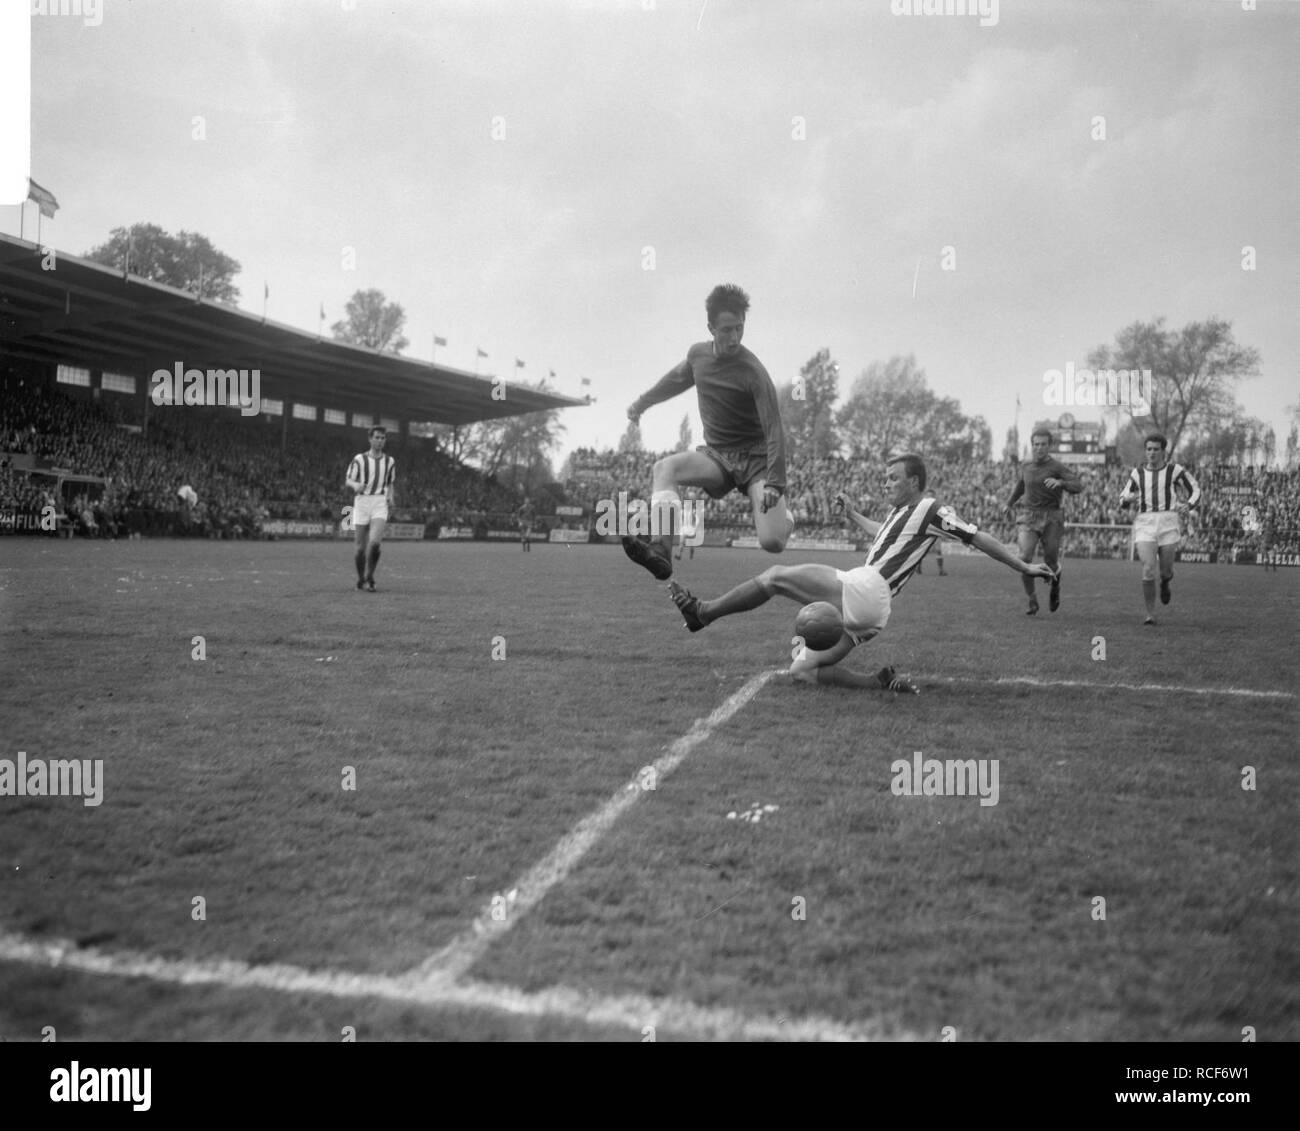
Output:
x,y
489,703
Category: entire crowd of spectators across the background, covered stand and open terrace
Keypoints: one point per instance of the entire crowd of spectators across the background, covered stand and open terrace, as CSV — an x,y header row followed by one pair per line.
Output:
x,y
245,473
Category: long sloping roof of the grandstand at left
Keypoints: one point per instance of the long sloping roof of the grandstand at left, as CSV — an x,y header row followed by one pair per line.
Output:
x,y
86,314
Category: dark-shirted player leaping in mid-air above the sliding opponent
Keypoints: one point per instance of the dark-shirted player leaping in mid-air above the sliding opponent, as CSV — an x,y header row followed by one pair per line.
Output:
x,y
744,447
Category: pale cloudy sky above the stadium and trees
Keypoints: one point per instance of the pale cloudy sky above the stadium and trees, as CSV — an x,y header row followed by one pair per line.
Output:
x,y
564,183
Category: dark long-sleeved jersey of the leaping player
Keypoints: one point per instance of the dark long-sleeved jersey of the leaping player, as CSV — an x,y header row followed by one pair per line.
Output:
x,y
738,404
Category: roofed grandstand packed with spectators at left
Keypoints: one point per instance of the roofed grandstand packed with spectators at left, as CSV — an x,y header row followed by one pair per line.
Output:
x,y
80,428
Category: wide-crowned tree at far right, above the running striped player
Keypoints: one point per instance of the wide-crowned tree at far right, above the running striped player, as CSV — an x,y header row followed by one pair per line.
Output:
x,y
1194,372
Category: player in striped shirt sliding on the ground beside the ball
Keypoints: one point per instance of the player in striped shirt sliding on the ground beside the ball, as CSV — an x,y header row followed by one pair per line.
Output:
x,y
865,595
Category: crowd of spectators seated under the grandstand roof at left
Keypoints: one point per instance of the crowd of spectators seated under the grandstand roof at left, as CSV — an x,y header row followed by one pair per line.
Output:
x,y
242,473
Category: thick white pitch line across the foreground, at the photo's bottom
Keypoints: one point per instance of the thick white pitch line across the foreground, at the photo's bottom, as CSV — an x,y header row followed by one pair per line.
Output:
x,y
634,1012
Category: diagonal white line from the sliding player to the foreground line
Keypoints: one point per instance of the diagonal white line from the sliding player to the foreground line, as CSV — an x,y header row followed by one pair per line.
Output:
x,y
501,915
